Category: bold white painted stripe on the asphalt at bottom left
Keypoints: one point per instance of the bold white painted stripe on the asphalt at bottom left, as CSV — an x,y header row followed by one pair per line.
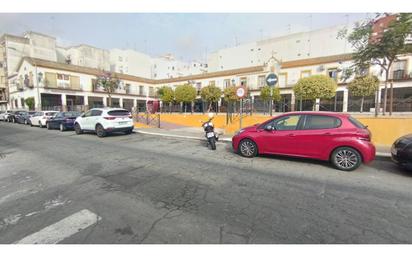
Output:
x,y
62,229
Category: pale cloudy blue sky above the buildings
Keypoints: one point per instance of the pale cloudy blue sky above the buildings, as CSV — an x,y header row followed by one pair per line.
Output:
x,y
188,36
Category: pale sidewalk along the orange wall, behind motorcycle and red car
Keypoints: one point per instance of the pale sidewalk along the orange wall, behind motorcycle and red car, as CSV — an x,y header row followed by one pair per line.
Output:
x,y
198,134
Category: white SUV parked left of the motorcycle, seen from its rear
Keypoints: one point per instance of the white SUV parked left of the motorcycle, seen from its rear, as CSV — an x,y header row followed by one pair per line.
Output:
x,y
104,120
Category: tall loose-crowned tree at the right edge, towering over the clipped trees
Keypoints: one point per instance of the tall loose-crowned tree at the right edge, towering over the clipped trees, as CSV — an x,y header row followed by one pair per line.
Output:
x,y
382,49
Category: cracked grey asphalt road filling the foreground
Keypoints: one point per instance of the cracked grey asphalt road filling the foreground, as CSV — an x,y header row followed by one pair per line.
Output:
x,y
58,187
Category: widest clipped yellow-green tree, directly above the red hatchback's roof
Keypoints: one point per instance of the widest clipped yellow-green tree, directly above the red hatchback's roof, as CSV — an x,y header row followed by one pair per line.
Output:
x,y
313,87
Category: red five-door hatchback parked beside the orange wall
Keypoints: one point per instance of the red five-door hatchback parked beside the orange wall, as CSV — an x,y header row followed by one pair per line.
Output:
x,y
336,137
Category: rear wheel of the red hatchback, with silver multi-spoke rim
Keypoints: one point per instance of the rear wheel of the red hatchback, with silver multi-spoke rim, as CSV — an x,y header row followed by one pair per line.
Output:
x,y
346,158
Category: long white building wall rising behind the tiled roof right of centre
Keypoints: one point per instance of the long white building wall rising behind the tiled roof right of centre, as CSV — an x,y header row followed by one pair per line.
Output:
x,y
312,44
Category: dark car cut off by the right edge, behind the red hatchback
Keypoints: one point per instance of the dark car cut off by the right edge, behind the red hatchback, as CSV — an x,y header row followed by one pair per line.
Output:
x,y
401,152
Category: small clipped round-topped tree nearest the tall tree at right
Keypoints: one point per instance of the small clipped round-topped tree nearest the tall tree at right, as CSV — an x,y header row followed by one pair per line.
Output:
x,y
364,86
